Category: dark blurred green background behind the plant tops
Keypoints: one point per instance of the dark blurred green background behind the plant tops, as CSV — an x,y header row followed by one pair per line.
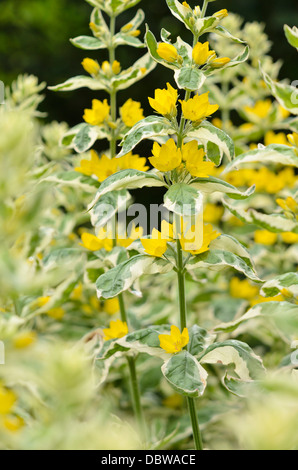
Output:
x,y
34,38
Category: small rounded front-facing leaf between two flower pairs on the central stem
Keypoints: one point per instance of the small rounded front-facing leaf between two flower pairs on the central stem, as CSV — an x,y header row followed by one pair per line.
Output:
x,y
183,200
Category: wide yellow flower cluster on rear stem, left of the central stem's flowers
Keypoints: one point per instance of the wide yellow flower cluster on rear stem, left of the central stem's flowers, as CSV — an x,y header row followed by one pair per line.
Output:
x,y
104,166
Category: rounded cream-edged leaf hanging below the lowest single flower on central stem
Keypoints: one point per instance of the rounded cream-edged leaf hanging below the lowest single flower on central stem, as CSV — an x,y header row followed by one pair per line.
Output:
x,y
185,374
